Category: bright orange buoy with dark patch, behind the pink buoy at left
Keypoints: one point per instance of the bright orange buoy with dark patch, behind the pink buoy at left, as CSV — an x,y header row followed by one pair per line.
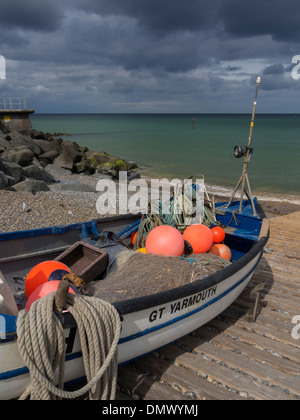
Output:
x,y
43,272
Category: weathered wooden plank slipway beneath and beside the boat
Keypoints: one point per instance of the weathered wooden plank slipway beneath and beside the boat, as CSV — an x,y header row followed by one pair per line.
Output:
x,y
232,358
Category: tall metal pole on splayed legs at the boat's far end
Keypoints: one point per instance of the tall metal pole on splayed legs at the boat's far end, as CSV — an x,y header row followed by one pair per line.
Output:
x,y
244,180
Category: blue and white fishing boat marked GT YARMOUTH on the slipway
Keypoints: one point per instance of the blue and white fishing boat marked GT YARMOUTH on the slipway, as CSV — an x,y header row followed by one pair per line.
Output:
x,y
148,322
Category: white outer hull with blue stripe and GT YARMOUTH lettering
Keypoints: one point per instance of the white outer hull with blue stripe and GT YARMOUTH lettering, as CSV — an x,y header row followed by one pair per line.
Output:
x,y
142,331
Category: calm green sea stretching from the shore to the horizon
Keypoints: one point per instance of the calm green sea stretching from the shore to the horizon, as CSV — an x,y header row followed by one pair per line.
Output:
x,y
167,145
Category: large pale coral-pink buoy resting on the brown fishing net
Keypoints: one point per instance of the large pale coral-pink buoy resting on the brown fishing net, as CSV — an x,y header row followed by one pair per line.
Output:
x,y
165,240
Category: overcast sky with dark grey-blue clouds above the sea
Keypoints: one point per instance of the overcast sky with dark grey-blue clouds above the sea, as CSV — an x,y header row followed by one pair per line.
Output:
x,y
192,56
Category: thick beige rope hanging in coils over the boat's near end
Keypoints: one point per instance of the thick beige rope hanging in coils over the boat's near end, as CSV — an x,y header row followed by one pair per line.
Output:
x,y
42,345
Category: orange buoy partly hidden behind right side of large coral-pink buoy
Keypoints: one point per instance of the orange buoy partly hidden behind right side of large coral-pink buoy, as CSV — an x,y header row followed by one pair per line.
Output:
x,y
200,238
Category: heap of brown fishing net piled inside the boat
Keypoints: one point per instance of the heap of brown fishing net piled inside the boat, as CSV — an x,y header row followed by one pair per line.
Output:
x,y
134,274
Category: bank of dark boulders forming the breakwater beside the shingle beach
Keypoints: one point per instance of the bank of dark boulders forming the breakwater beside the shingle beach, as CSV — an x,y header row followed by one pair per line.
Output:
x,y
32,160
